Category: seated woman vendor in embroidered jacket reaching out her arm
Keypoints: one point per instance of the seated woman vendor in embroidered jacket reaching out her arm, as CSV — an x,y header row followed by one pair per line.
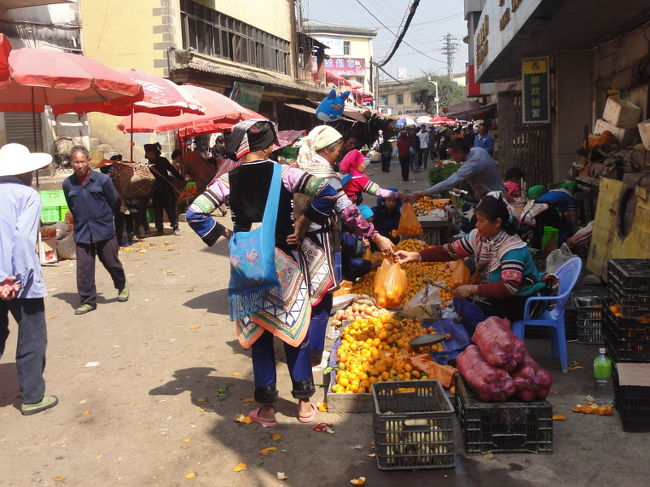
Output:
x,y
507,273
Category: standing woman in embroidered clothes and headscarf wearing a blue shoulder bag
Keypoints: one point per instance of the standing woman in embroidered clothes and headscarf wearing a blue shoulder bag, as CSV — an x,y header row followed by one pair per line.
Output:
x,y
264,312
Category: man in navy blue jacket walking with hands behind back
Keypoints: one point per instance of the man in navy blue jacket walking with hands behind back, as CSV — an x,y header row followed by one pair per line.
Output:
x,y
92,198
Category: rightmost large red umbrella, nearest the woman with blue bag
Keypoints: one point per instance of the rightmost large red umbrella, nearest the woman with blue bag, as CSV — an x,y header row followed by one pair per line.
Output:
x,y
220,113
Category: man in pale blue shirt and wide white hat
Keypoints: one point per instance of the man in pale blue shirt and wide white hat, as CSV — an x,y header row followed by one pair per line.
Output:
x,y
21,283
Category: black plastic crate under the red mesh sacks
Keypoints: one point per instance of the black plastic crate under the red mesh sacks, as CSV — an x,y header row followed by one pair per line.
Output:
x,y
506,427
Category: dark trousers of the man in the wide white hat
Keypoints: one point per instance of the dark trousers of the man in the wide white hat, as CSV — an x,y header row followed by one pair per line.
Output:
x,y
31,344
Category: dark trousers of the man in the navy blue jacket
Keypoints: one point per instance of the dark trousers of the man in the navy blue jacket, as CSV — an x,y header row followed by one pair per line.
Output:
x,y
107,253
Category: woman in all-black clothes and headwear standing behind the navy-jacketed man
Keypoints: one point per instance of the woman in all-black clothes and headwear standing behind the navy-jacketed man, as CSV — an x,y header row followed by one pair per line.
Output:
x,y
164,191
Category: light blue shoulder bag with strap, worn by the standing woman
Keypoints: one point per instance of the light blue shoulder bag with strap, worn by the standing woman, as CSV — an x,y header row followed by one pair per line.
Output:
x,y
252,258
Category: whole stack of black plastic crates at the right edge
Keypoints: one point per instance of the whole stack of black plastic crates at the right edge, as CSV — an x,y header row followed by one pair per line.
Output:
x,y
627,334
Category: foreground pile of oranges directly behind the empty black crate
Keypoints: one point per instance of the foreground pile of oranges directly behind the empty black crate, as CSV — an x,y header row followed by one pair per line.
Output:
x,y
375,349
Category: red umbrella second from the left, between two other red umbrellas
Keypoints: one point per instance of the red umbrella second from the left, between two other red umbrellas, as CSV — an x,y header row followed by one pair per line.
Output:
x,y
161,97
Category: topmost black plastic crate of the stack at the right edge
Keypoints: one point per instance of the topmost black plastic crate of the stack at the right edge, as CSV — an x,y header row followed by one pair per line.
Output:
x,y
628,282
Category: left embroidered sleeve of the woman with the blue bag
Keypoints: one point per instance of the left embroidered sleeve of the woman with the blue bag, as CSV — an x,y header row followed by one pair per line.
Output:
x,y
199,214
